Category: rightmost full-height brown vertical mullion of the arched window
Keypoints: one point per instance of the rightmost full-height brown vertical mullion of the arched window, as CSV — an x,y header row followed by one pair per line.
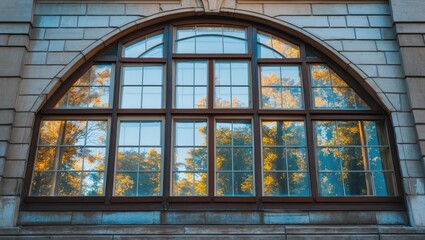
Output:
x,y
309,125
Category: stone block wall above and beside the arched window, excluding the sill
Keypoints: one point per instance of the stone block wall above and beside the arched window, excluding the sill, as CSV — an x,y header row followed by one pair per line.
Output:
x,y
360,36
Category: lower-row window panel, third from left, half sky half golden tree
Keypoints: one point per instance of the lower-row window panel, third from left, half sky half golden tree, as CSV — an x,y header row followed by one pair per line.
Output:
x,y
190,160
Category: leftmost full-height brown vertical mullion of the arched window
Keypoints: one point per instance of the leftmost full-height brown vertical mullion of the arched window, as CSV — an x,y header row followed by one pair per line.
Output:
x,y
110,171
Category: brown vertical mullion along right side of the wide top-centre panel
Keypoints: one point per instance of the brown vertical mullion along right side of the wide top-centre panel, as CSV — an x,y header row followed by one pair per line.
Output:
x,y
252,42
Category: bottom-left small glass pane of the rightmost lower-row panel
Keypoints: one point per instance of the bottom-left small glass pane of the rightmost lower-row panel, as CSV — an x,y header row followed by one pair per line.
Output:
x,y
331,184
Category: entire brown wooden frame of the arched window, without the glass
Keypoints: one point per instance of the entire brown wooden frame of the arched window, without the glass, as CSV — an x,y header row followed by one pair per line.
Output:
x,y
257,202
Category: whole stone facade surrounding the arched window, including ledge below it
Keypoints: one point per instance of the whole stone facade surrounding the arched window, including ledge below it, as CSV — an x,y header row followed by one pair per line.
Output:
x,y
380,43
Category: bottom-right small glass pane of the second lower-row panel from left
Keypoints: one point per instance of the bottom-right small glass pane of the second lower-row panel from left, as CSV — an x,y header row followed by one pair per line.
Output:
x,y
149,184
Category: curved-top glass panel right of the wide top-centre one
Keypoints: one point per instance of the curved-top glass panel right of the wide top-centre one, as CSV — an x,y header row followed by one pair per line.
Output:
x,y
270,46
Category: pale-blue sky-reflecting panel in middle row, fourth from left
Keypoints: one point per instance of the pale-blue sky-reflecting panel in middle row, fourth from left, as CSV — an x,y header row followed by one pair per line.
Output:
x,y
231,84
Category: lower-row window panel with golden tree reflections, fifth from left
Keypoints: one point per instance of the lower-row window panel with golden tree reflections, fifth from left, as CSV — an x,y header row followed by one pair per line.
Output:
x,y
285,165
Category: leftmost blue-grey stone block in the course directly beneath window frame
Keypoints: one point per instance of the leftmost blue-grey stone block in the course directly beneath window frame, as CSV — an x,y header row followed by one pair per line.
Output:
x,y
44,218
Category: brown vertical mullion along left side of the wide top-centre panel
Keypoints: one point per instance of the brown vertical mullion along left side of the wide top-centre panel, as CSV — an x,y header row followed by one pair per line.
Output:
x,y
168,43
